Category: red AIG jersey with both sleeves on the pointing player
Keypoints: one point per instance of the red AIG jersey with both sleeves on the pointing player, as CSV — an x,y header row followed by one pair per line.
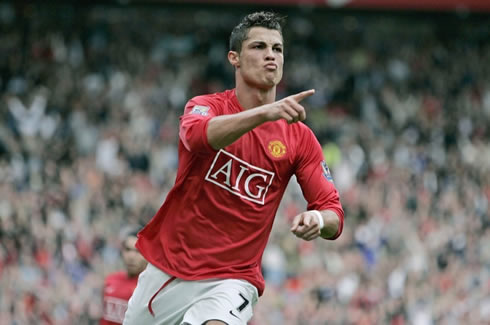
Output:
x,y
216,220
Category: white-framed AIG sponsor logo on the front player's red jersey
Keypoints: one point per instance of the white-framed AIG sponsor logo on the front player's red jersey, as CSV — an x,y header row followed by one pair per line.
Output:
x,y
239,177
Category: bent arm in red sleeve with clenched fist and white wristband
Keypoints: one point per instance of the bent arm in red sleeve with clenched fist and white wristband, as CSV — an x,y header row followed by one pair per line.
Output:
x,y
324,216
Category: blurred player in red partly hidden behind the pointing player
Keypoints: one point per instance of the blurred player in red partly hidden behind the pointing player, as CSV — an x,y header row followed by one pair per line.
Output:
x,y
119,286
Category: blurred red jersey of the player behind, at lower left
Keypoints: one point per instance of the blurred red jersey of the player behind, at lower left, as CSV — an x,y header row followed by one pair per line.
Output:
x,y
118,288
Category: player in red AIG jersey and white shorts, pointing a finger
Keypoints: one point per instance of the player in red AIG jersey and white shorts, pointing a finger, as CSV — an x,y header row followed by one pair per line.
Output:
x,y
237,152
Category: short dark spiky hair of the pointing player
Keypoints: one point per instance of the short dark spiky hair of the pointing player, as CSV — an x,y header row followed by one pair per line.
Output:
x,y
266,19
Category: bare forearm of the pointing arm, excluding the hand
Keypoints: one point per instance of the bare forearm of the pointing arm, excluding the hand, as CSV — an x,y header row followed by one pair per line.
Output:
x,y
223,130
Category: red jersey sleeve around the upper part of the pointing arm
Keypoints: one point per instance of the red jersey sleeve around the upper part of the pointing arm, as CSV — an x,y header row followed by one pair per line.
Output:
x,y
194,123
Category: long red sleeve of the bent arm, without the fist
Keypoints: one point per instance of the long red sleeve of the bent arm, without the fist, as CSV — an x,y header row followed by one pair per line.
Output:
x,y
315,179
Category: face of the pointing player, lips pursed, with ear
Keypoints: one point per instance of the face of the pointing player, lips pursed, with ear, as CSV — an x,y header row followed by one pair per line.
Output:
x,y
261,59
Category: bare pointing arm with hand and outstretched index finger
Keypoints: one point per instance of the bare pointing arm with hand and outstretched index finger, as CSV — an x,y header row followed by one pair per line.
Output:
x,y
223,130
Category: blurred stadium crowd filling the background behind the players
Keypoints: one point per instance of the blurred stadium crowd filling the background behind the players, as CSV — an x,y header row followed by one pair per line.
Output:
x,y
90,95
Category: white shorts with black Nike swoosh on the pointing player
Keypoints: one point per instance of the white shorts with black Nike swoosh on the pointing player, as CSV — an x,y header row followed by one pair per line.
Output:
x,y
162,299
